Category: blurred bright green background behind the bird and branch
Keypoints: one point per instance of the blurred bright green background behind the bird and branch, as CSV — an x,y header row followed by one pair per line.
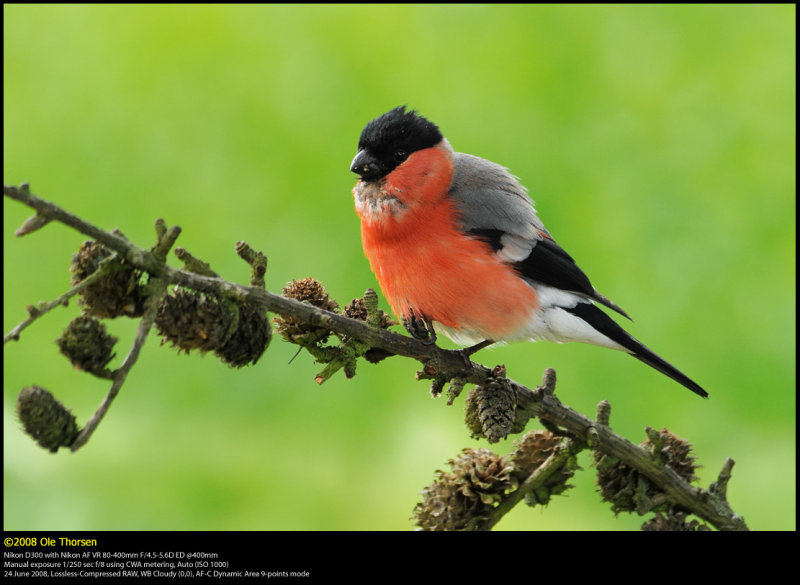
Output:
x,y
657,141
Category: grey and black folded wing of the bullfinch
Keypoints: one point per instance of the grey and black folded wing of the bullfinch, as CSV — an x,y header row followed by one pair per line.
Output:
x,y
493,206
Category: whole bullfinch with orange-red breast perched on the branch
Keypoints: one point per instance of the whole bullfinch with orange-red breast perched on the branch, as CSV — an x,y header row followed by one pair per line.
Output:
x,y
457,248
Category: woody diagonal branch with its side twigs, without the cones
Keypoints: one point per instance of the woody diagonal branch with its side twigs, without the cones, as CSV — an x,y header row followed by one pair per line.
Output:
x,y
441,365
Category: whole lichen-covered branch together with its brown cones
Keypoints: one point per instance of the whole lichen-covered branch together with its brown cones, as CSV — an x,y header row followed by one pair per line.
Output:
x,y
205,312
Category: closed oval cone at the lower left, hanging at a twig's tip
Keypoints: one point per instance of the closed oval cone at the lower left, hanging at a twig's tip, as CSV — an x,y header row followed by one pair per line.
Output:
x,y
45,419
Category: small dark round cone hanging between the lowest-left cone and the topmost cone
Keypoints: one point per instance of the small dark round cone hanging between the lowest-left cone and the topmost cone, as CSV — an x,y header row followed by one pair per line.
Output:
x,y
87,345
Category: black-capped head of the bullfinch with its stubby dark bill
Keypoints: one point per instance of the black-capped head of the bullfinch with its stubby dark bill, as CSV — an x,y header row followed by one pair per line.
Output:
x,y
390,139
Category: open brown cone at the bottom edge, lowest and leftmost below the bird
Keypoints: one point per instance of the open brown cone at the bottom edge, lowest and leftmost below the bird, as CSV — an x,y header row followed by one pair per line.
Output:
x,y
461,499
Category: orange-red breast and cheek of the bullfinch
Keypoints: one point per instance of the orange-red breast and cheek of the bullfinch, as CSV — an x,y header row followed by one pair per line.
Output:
x,y
423,261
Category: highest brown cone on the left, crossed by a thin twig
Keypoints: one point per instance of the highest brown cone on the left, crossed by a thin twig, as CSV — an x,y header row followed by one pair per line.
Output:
x,y
117,293
